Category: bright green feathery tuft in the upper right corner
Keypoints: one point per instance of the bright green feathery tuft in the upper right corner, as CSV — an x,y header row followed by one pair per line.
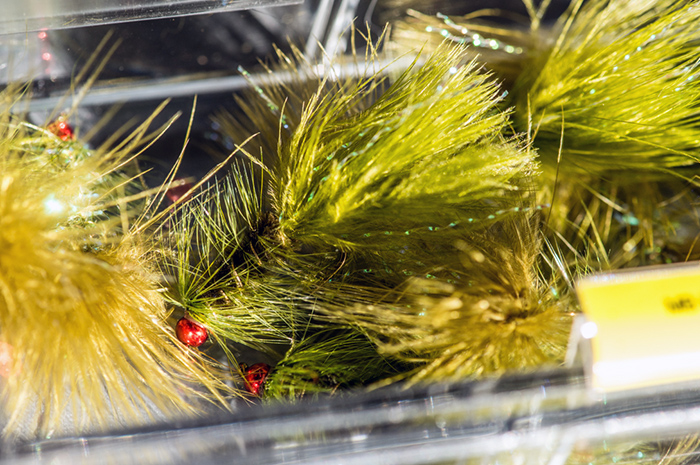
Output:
x,y
621,81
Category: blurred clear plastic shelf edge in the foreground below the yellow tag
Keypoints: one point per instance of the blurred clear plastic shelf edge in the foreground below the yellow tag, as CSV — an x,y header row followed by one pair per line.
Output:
x,y
538,418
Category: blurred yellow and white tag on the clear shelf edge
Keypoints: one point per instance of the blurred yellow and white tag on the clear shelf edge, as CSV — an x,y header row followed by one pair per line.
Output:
x,y
644,325
